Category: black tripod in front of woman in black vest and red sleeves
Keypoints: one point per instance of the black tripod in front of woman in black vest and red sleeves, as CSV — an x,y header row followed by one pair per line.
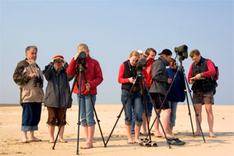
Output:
x,y
139,79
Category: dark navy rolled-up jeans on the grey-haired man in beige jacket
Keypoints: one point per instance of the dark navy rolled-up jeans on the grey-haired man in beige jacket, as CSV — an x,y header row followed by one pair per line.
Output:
x,y
31,116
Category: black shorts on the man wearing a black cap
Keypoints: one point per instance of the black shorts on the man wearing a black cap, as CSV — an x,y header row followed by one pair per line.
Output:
x,y
158,99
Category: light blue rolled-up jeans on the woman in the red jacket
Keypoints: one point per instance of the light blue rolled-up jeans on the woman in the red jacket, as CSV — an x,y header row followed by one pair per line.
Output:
x,y
86,110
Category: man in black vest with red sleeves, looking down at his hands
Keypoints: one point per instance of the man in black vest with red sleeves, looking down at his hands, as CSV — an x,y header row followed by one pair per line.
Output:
x,y
200,76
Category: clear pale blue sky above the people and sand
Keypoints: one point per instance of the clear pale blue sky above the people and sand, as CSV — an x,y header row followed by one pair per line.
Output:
x,y
112,29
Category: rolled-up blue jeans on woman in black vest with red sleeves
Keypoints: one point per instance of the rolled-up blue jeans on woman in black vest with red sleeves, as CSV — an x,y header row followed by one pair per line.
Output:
x,y
134,102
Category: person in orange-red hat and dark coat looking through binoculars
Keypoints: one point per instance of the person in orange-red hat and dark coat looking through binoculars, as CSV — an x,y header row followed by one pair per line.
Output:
x,y
57,97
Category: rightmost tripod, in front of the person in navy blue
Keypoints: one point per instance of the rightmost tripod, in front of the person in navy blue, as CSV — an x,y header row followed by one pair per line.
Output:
x,y
181,68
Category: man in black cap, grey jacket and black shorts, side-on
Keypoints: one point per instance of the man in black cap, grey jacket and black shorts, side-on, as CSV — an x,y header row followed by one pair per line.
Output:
x,y
158,89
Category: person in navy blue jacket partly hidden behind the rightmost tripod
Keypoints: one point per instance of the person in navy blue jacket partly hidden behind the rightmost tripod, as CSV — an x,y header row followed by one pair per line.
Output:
x,y
176,93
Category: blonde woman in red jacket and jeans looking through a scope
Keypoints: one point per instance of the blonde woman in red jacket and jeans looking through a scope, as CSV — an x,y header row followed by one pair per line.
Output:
x,y
94,78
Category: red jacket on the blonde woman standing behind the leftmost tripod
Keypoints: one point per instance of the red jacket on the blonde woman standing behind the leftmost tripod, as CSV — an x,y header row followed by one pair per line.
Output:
x,y
93,75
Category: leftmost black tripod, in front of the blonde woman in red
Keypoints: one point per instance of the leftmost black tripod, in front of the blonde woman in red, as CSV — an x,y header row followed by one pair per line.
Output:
x,y
80,72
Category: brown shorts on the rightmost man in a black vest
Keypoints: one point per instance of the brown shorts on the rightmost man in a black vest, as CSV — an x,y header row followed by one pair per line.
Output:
x,y
203,97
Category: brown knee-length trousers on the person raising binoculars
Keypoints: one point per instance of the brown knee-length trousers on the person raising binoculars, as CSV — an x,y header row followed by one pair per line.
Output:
x,y
55,116
